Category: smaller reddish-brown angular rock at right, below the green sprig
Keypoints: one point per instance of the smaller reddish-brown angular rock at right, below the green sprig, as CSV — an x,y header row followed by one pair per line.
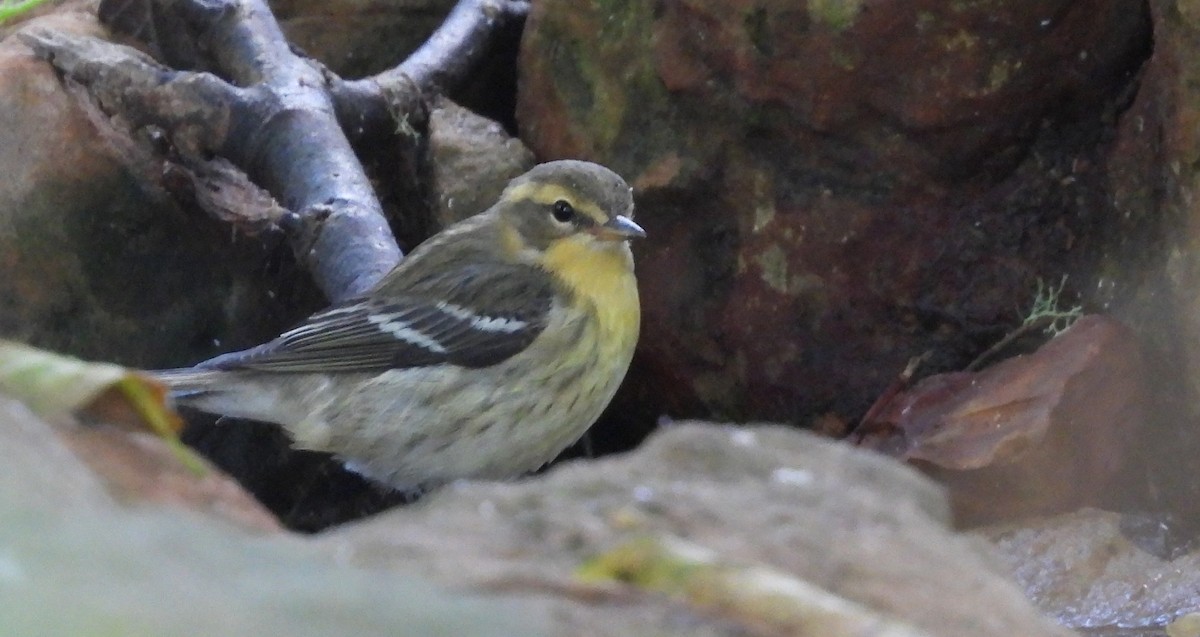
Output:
x,y
1035,435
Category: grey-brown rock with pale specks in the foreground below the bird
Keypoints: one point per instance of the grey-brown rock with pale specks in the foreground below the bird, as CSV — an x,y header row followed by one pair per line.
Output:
x,y
855,525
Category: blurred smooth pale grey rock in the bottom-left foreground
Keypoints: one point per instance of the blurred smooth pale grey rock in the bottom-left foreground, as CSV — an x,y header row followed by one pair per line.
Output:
x,y
76,562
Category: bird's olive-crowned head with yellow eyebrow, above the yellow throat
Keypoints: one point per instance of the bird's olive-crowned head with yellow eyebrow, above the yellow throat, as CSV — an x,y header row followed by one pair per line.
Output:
x,y
556,200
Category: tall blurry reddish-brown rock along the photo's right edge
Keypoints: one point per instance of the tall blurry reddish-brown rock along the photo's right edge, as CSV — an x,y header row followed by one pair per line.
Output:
x,y
1153,265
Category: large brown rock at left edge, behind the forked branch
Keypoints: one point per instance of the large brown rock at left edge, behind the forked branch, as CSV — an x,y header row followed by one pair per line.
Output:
x,y
95,265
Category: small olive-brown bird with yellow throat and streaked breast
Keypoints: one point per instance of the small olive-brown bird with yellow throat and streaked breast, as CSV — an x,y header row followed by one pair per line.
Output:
x,y
484,354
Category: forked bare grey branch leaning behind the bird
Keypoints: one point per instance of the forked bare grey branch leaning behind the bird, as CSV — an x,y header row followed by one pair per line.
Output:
x,y
277,116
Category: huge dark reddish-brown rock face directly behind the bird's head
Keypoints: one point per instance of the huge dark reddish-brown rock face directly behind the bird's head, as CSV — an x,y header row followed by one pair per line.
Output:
x,y
833,188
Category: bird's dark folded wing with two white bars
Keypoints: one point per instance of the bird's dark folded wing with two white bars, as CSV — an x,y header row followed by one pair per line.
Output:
x,y
473,316
